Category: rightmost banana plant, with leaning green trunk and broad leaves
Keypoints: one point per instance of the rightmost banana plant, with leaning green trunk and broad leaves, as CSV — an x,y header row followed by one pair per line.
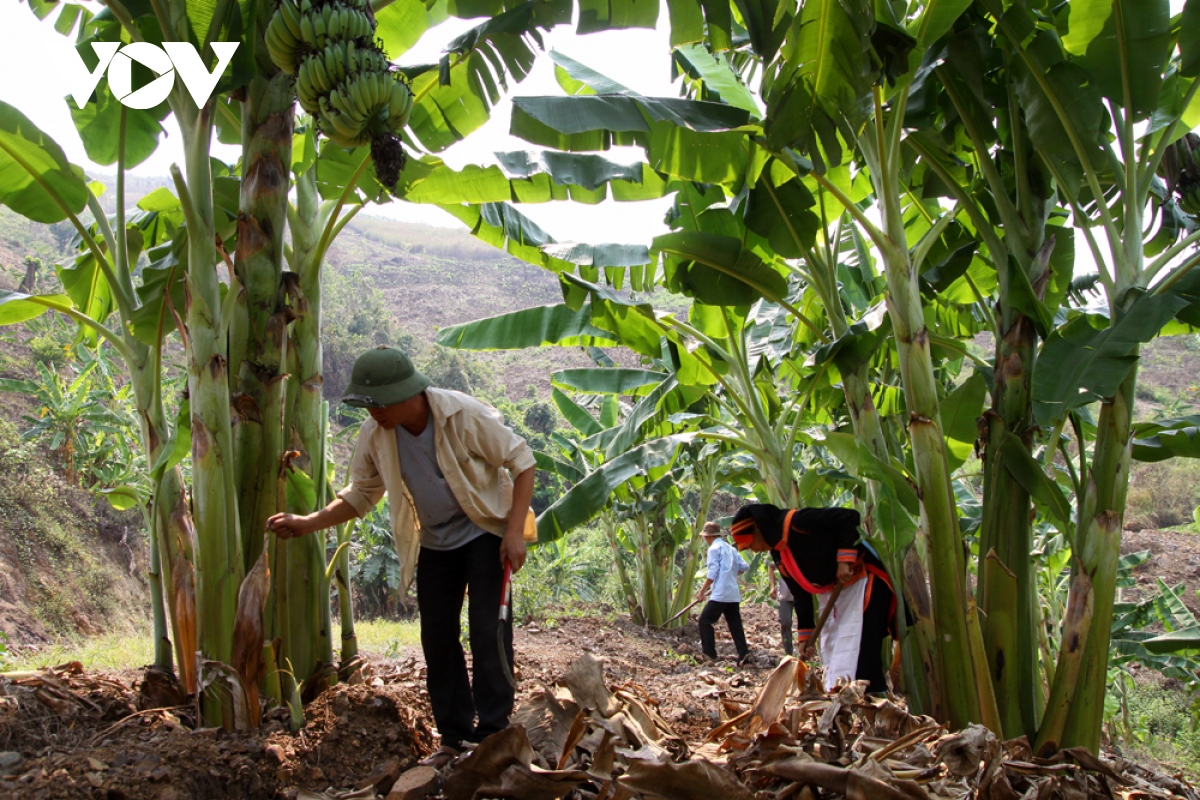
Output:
x,y
1118,67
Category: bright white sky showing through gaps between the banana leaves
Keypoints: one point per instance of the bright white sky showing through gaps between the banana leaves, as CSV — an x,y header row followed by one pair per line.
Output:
x,y
34,79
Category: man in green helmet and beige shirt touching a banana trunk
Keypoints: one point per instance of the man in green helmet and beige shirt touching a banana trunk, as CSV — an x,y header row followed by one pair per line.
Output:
x,y
460,484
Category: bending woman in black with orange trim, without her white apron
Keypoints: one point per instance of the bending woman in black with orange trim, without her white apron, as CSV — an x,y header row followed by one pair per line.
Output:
x,y
815,550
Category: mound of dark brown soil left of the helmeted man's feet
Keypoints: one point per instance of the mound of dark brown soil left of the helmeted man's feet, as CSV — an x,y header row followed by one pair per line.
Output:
x,y
68,735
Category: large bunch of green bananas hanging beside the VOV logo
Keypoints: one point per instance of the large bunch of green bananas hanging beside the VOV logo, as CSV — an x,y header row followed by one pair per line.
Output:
x,y
344,80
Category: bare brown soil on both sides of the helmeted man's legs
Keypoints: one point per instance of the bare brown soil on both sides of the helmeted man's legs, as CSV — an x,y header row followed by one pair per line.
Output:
x,y
82,736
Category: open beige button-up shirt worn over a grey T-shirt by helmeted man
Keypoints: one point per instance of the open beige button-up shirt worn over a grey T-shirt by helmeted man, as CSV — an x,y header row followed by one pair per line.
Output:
x,y
478,455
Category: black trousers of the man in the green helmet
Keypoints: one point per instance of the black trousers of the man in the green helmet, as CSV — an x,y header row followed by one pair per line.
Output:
x,y
443,578
